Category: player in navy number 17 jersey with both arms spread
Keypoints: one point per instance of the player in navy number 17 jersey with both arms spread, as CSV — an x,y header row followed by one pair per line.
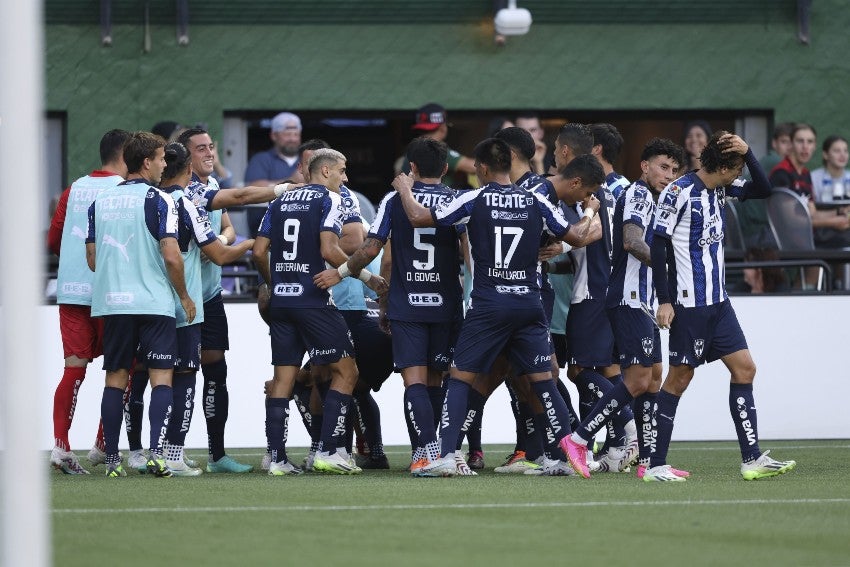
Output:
x,y
504,225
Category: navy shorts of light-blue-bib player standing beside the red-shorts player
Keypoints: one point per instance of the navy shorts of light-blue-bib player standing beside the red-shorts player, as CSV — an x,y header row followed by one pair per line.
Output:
x,y
152,337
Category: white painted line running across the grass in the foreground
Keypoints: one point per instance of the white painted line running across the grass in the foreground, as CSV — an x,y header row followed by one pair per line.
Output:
x,y
481,506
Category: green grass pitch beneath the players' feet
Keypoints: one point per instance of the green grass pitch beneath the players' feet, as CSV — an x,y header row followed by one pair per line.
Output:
x,y
389,518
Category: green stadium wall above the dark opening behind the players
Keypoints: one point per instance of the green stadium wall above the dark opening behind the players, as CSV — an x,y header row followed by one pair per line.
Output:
x,y
642,61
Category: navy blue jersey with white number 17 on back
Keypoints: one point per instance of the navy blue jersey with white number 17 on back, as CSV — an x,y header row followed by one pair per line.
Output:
x,y
504,225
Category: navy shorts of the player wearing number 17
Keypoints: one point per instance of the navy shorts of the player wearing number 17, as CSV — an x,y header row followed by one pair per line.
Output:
x,y
522,333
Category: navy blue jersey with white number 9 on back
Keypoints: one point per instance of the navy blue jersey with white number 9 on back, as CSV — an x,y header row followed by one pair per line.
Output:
x,y
293,223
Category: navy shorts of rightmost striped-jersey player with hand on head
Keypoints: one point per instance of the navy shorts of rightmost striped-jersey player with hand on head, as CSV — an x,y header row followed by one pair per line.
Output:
x,y
704,334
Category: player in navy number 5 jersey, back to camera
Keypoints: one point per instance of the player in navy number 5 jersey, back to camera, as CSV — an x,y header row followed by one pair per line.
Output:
x,y
423,305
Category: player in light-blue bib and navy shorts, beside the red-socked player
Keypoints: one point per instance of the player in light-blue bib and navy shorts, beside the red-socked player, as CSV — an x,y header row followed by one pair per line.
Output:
x,y
132,248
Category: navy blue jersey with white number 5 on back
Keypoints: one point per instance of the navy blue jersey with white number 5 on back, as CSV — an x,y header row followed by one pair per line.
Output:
x,y
425,284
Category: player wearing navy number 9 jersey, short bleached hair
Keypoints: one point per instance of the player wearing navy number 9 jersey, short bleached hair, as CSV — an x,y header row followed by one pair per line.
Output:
x,y
301,229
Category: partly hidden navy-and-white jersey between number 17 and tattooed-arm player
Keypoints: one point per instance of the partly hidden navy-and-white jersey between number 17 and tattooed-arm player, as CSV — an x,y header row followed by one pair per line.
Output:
x,y
593,262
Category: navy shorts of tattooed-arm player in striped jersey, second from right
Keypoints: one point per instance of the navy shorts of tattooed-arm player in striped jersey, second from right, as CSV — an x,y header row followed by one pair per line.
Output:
x,y
638,339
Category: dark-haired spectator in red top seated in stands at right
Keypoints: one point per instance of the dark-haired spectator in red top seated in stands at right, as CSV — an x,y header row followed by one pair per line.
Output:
x,y
831,230
